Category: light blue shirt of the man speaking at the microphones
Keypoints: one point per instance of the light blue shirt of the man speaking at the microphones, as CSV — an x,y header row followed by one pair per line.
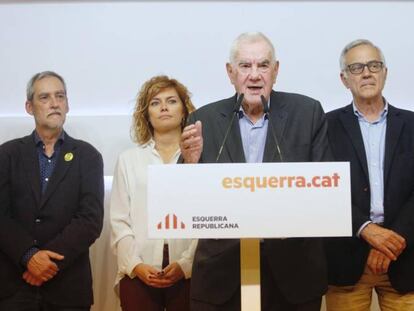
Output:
x,y
253,137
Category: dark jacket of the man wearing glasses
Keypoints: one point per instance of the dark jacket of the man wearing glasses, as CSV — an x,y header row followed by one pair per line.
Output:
x,y
347,256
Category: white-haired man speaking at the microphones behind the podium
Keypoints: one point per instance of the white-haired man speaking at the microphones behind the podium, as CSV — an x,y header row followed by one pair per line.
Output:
x,y
268,126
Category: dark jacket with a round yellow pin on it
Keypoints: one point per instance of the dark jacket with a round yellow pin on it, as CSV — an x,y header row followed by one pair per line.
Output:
x,y
66,219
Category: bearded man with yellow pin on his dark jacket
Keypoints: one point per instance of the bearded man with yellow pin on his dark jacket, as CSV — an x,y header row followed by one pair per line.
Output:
x,y
51,208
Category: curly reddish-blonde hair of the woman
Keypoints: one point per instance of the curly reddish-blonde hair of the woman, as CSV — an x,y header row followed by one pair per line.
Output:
x,y
142,129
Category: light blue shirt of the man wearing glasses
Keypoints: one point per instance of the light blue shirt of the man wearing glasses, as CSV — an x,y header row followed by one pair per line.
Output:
x,y
373,135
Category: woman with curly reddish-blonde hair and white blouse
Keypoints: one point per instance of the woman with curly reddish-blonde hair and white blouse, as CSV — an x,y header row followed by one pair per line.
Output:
x,y
152,274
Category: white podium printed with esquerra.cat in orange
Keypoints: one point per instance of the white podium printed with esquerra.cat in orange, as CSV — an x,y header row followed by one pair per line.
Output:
x,y
274,200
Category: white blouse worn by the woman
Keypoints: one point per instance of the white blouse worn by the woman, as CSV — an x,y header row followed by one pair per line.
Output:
x,y
128,216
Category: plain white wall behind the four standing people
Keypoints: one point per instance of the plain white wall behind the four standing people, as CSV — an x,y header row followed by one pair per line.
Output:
x,y
107,49
